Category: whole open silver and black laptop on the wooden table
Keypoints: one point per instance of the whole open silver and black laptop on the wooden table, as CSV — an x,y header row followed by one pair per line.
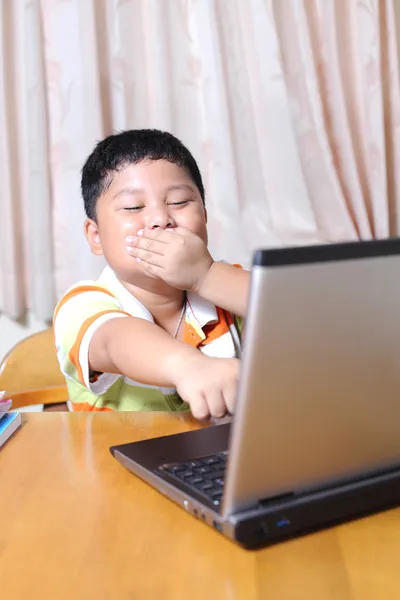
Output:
x,y
315,439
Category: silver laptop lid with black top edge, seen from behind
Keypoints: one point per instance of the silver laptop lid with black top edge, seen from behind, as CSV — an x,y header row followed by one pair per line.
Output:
x,y
319,395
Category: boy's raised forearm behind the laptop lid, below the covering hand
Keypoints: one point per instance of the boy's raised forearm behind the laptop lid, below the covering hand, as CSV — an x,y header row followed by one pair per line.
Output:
x,y
226,286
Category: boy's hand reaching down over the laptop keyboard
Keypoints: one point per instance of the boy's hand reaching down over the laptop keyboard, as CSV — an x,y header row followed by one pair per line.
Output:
x,y
208,385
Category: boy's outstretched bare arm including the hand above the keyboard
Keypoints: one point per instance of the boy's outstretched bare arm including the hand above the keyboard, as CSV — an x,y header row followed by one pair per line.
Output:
x,y
146,353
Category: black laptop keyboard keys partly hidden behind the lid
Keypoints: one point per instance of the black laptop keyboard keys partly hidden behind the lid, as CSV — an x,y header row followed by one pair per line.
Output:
x,y
205,475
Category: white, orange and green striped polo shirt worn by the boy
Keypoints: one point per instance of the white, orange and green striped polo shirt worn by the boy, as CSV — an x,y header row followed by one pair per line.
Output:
x,y
86,306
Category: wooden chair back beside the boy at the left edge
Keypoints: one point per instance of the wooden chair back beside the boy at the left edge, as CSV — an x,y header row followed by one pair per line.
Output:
x,y
30,373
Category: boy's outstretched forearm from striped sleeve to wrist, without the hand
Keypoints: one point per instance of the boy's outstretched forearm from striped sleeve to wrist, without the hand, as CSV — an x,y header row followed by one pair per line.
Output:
x,y
140,350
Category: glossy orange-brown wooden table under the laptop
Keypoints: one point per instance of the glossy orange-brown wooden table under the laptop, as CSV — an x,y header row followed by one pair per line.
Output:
x,y
75,524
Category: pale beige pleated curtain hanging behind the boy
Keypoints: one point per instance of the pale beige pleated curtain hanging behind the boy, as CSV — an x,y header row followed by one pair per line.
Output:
x,y
290,106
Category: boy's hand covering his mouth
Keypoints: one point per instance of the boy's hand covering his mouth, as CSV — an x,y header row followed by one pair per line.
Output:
x,y
179,257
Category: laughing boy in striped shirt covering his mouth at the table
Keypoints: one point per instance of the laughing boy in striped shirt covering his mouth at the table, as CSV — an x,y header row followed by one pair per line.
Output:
x,y
131,340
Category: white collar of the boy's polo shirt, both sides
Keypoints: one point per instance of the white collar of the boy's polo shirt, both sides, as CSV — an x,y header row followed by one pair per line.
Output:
x,y
203,311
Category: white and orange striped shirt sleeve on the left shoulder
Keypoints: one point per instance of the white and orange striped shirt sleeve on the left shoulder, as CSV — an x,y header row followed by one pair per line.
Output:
x,y
77,316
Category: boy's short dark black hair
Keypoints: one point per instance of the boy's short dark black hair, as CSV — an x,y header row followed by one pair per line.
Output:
x,y
129,147
